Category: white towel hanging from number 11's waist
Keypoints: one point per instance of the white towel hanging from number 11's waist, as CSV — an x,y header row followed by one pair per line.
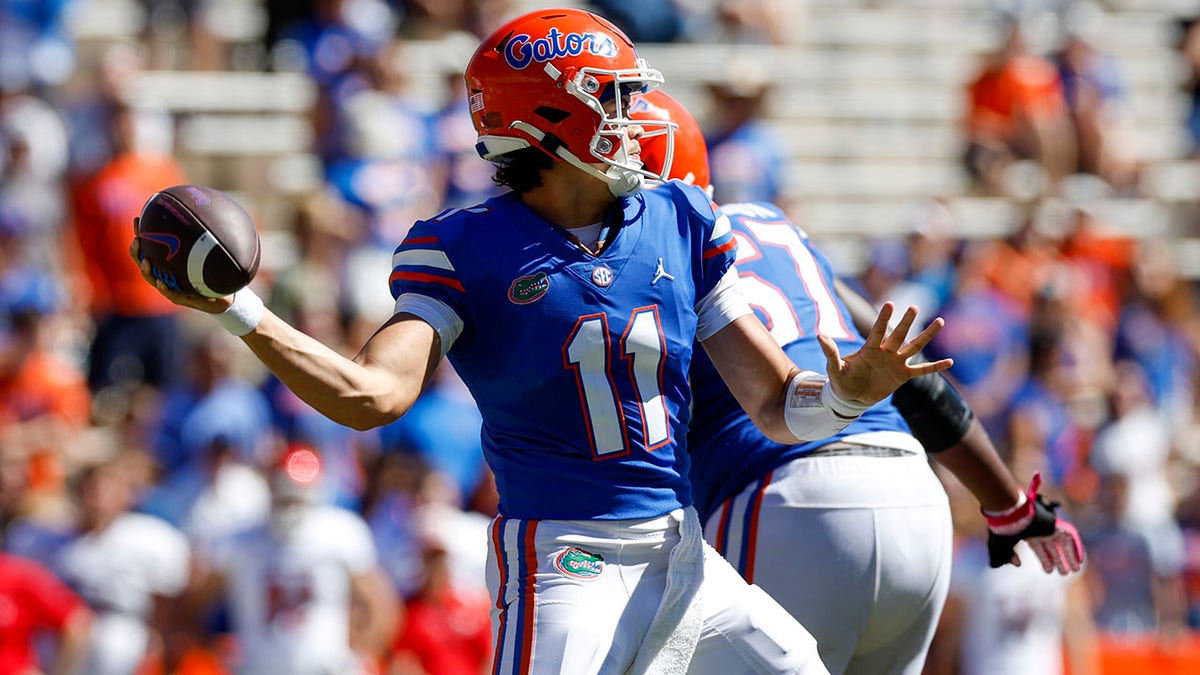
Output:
x,y
671,640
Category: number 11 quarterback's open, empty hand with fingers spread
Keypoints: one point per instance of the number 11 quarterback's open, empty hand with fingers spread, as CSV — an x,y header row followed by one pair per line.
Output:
x,y
881,366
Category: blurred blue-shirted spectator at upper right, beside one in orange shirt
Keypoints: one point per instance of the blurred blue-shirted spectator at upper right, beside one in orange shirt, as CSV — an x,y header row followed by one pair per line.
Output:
x,y
1095,92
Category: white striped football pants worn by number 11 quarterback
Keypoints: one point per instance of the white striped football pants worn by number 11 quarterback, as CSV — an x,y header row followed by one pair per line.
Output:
x,y
580,598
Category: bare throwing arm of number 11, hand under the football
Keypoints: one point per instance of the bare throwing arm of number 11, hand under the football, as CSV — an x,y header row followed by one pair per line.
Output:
x,y
374,389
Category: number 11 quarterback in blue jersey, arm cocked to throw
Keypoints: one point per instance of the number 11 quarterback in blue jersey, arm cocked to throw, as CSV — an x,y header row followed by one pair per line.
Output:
x,y
571,307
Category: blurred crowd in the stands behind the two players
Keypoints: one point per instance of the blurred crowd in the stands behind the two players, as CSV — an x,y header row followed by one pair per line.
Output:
x,y
1029,170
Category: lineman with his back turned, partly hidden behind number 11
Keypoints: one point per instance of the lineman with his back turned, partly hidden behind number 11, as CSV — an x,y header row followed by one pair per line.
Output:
x,y
851,534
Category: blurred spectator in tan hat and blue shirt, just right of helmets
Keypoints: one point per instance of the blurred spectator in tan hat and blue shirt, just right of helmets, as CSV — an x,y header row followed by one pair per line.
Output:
x,y
745,156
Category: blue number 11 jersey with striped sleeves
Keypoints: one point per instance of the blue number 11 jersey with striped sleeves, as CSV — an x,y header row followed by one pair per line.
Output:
x,y
579,363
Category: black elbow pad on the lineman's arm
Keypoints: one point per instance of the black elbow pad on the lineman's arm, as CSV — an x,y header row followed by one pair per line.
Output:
x,y
935,411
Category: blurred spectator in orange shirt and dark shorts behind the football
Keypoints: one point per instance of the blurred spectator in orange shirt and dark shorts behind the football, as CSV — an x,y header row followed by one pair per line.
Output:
x,y
137,337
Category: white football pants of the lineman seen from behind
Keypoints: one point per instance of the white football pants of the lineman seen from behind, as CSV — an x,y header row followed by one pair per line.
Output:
x,y
856,548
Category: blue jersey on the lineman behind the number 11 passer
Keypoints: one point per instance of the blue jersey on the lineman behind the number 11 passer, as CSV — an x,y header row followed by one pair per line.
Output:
x,y
790,286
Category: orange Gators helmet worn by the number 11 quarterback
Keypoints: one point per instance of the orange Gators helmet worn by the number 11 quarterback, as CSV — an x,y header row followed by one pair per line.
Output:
x,y
543,81
